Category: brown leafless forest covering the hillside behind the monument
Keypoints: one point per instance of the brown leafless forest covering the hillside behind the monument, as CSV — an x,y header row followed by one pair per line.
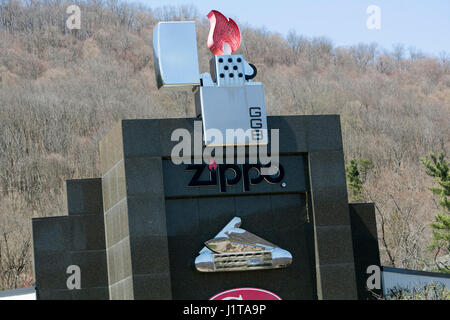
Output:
x,y
62,90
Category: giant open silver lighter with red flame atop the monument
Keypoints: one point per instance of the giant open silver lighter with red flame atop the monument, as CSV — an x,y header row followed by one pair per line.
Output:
x,y
226,98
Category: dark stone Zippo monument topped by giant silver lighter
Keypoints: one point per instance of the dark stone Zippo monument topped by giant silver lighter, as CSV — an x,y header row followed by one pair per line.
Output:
x,y
184,209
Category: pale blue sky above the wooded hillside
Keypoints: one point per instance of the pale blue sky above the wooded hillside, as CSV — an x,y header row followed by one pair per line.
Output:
x,y
424,24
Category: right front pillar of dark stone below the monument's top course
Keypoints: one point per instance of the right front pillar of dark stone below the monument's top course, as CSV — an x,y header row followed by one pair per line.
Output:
x,y
333,237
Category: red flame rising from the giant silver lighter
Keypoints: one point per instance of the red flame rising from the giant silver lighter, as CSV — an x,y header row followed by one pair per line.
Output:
x,y
222,30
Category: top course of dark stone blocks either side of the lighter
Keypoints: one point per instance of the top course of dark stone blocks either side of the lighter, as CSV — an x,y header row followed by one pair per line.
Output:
x,y
298,134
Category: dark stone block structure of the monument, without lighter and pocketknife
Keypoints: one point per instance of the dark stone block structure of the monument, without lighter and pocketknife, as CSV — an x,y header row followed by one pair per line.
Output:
x,y
155,224
